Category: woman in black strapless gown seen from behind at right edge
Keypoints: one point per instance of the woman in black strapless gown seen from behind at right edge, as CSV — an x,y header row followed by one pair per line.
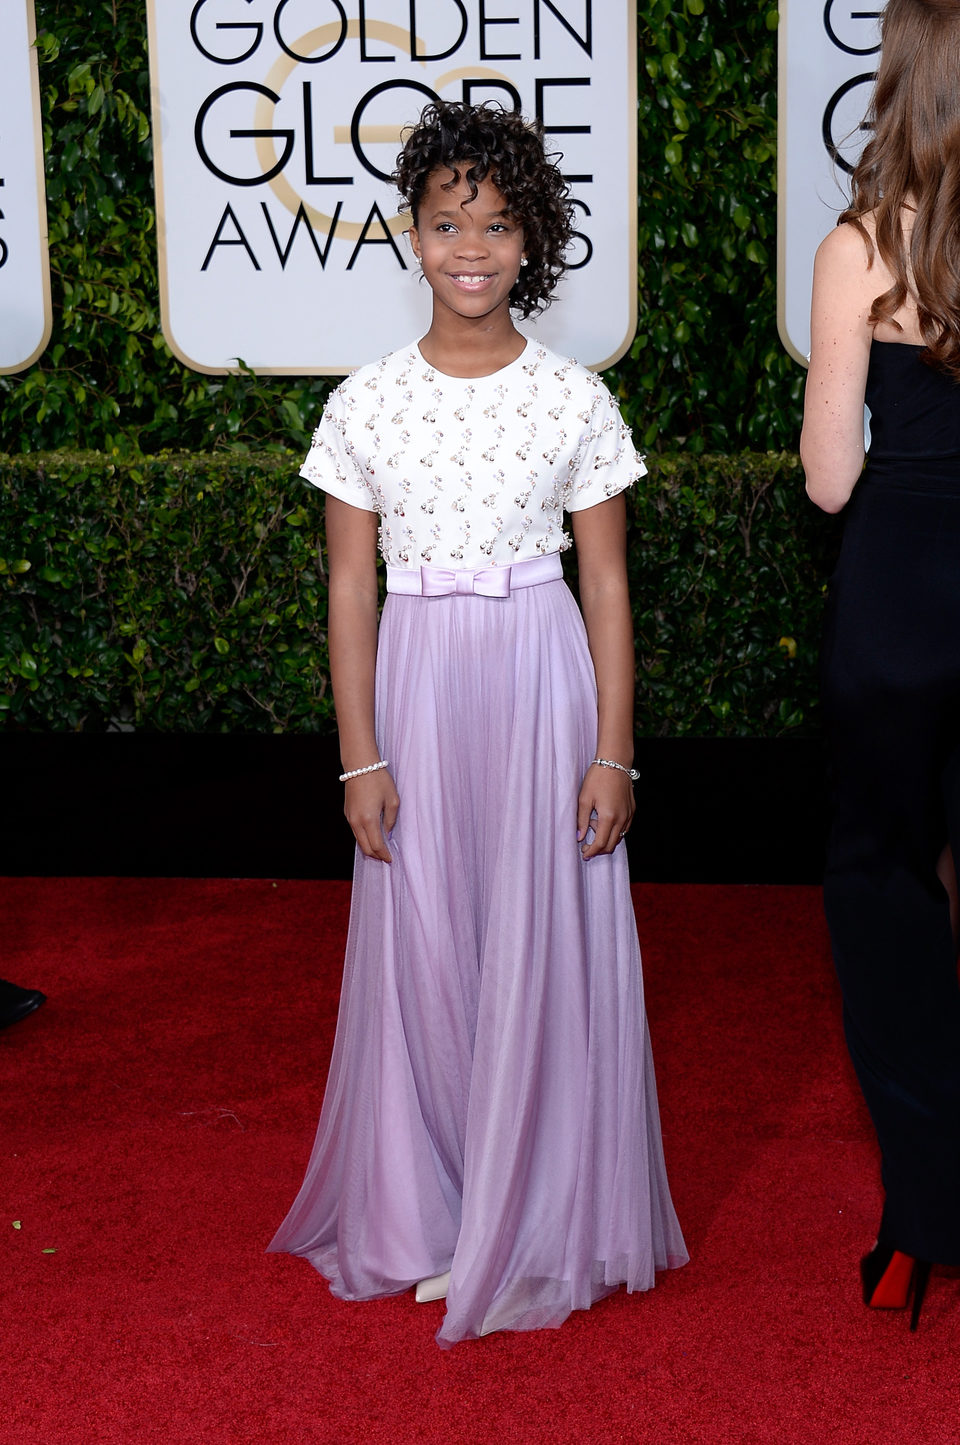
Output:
x,y
887,329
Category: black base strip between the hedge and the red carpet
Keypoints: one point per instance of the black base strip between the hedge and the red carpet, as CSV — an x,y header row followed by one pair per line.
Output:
x,y
160,806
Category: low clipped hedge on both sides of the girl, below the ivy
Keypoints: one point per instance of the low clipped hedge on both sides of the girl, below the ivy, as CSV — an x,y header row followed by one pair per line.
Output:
x,y
187,593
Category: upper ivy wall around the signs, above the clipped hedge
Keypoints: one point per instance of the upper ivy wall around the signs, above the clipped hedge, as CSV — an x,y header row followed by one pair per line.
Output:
x,y
706,372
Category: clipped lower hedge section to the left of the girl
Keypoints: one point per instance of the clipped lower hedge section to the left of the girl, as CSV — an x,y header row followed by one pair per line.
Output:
x,y
171,593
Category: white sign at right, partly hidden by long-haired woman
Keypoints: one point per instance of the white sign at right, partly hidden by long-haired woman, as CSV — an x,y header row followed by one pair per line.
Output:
x,y
828,63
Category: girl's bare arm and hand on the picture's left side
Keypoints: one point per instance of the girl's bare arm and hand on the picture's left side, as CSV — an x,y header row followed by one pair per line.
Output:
x,y
371,803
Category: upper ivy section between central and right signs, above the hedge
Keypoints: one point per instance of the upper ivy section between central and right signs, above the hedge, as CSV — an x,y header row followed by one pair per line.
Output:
x,y
708,371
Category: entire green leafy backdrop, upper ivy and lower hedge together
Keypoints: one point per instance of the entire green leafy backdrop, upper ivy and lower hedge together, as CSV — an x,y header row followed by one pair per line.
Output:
x,y
189,593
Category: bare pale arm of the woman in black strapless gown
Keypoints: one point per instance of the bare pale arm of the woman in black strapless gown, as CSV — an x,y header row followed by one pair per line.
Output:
x,y
832,440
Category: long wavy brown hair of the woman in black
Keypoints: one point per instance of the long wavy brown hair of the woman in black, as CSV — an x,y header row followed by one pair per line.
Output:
x,y
913,163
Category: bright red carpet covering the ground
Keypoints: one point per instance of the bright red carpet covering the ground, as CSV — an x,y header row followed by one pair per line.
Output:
x,y
158,1112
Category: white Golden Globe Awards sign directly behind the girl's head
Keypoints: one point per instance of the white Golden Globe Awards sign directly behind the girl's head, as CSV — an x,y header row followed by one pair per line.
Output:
x,y
277,131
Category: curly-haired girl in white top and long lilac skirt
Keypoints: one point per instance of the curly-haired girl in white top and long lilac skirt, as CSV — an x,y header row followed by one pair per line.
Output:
x,y
489,1129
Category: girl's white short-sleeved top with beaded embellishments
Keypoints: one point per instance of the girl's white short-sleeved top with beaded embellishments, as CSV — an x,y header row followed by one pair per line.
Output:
x,y
472,472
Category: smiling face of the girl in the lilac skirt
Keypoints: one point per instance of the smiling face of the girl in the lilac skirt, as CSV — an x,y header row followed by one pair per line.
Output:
x,y
469,246
